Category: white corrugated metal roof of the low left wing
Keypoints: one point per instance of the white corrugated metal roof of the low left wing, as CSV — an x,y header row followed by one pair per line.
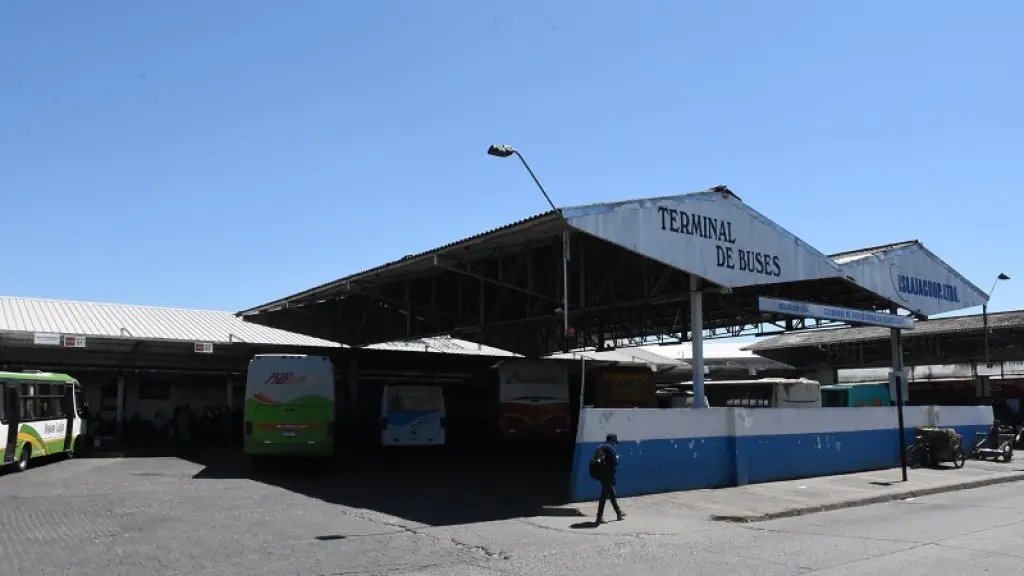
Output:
x,y
141,323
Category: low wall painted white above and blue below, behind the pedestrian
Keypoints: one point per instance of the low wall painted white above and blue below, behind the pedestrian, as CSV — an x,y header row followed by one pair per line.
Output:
x,y
669,450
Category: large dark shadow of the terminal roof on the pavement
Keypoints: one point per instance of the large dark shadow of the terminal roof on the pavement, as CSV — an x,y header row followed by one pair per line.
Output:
x,y
434,487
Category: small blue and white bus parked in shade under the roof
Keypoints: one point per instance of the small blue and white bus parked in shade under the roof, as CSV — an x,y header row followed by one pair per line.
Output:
x,y
413,416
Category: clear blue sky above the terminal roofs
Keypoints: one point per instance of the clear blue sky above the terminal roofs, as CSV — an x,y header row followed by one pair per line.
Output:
x,y
219,155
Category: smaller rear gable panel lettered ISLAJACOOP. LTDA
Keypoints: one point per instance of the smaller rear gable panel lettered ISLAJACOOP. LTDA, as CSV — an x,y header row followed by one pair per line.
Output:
x,y
916,279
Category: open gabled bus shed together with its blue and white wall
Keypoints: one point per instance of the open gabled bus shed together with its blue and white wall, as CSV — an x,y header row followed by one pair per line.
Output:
x,y
667,270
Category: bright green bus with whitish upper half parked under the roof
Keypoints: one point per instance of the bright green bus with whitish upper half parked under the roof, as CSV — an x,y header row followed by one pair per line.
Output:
x,y
289,406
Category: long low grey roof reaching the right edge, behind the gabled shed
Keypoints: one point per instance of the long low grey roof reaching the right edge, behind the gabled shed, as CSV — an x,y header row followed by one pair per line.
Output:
x,y
997,321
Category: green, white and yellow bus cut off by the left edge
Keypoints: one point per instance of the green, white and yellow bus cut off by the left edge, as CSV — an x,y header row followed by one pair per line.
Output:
x,y
40,416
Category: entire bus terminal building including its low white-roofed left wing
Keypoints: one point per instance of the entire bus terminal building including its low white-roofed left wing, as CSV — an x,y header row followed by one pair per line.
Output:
x,y
601,278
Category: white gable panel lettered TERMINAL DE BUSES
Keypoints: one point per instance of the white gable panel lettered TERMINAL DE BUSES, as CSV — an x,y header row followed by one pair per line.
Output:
x,y
711,234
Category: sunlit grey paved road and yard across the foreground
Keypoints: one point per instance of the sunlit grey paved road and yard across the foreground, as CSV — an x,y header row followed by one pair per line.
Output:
x,y
163,516
